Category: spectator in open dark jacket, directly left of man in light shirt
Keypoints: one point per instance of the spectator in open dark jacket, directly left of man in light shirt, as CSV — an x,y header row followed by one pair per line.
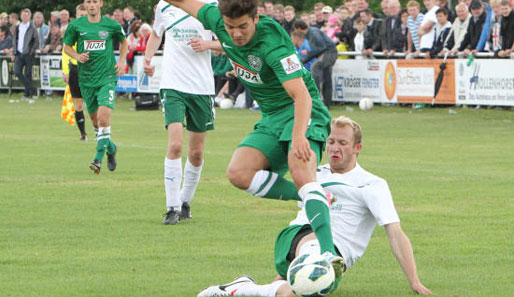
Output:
x,y
394,38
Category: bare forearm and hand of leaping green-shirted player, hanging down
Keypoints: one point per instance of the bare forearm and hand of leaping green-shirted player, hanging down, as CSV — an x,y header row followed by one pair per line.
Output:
x,y
302,113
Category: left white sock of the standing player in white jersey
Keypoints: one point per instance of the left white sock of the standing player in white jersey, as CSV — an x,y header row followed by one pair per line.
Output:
x,y
172,180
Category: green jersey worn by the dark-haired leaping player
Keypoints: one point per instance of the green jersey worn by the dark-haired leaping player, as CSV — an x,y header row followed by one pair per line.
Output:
x,y
264,63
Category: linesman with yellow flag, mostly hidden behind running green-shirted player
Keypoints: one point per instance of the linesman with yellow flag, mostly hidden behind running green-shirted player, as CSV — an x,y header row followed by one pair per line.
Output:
x,y
71,77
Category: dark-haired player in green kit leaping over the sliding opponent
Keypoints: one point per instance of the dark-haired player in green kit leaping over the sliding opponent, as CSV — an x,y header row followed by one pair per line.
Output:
x,y
294,124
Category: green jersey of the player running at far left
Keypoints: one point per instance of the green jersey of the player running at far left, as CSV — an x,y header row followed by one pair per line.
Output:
x,y
97,39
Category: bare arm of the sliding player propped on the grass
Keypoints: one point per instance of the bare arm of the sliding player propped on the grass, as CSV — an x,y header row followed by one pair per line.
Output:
x,y
402,249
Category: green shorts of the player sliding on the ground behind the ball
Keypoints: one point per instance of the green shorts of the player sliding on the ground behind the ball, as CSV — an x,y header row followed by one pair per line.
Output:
x,y
283,246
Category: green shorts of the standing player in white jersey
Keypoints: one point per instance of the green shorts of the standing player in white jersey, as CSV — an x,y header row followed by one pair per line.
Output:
x,y
198,110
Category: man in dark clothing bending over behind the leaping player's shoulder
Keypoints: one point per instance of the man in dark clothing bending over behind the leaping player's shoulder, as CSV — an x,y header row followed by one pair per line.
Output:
x,y
323,48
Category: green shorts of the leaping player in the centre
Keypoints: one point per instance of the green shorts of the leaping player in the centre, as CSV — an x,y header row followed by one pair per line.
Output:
x,y
272,136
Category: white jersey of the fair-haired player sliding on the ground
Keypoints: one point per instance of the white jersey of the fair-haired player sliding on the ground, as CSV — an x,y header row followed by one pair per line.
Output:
x,y
362,201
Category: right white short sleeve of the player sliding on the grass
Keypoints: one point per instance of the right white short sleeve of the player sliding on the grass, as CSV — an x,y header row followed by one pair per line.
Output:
x,y
377,197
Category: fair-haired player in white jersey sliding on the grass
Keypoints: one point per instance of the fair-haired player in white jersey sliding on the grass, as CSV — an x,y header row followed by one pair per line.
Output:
x,y
361,201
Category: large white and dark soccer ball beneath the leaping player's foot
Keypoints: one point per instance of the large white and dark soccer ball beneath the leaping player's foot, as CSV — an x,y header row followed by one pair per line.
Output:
x,y
311,275
